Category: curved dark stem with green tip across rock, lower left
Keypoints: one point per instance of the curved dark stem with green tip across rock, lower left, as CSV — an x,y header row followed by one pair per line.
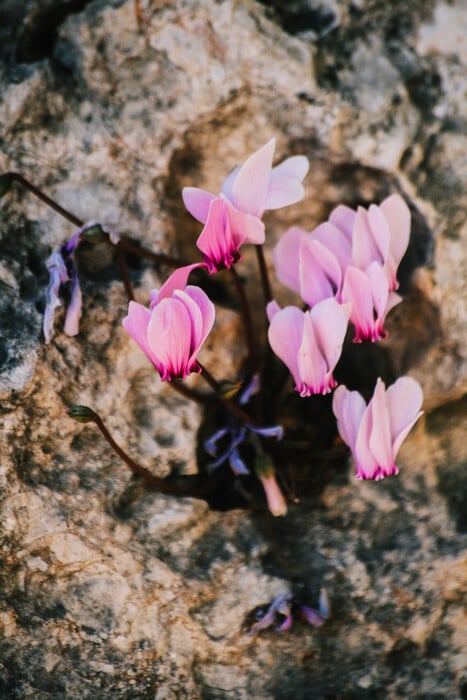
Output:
x,y
156,482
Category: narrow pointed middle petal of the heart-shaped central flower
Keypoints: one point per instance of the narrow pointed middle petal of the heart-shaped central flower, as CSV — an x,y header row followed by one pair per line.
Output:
x,y
312,365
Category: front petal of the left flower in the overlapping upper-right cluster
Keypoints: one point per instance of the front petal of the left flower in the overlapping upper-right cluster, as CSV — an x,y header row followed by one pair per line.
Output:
x,y
320,272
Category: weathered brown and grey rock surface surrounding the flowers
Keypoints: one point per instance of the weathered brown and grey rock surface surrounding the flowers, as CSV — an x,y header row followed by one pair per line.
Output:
x,y
108,590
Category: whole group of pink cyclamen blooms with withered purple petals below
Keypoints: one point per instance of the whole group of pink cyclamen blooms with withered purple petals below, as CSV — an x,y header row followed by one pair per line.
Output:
x,y
345,271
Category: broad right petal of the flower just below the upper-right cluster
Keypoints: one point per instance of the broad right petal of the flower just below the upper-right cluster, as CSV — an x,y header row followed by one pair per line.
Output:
x,y
330,321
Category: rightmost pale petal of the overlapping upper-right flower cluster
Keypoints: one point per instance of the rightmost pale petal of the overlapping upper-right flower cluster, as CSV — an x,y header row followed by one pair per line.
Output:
x,y
397,214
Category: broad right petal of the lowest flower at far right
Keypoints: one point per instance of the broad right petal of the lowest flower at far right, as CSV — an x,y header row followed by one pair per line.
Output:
x,y
404,399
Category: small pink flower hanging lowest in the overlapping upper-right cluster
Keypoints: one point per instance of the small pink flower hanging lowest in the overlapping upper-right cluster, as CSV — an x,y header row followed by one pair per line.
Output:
x,y
367,292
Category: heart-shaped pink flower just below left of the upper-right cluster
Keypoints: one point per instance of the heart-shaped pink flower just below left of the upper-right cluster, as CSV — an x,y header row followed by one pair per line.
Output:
x,y
309,343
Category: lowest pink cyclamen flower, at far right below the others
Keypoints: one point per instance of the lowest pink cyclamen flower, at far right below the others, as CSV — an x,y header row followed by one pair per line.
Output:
x,y
375,432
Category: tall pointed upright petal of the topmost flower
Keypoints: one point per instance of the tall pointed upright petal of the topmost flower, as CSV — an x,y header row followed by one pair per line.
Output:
x,y
251,184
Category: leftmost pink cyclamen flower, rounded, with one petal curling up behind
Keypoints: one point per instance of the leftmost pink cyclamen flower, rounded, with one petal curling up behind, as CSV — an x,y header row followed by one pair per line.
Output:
x,y
173,330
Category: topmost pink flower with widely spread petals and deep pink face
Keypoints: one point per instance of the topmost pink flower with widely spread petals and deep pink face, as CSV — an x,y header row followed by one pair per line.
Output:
x,y
234,217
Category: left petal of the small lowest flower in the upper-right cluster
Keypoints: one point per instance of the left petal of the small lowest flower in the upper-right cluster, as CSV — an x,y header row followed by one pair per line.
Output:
x,y
357,291
